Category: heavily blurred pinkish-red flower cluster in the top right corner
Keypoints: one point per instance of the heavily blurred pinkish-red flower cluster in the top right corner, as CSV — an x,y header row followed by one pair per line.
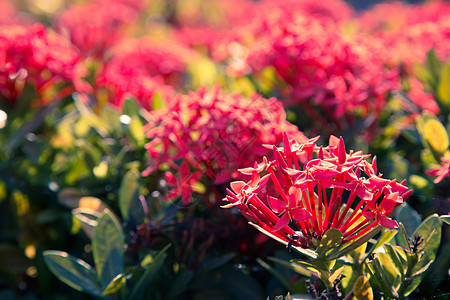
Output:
x,y
410,31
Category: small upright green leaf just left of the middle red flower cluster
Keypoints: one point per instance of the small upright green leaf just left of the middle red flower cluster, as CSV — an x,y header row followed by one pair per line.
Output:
x,y
129,203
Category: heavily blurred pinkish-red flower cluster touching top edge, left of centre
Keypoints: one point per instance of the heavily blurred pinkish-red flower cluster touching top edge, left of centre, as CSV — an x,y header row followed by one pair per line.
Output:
x,y
96,26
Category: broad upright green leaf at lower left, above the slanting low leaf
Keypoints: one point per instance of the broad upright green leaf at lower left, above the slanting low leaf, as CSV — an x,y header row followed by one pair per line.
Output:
x,y
108,247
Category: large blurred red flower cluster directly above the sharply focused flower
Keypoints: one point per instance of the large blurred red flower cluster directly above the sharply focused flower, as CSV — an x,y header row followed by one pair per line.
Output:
x,y
319,63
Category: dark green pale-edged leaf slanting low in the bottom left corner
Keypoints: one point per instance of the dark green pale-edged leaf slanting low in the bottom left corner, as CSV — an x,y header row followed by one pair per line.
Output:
x,y
73,271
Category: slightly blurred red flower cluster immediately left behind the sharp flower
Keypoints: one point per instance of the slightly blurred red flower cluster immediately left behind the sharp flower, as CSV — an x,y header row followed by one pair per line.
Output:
x,y
213,133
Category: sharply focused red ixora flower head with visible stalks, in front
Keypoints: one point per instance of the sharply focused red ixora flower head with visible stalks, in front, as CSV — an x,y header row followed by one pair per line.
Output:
x,y
307,190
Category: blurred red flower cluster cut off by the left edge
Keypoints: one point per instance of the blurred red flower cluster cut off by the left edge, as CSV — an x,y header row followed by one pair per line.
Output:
x,y
33,55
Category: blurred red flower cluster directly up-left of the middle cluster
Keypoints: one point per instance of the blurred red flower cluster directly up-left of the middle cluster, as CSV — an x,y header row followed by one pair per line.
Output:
x,y
155,66
